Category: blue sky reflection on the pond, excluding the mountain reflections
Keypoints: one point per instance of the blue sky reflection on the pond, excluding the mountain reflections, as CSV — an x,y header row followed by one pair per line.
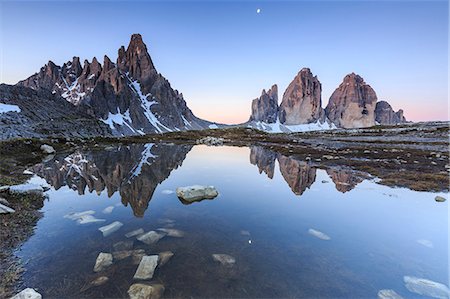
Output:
x,y
373,229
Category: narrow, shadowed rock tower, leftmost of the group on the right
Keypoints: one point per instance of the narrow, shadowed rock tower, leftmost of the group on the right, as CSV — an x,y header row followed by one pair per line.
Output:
x,y
265,108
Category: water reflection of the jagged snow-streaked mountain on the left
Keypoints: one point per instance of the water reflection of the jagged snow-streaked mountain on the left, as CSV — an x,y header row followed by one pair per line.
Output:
x,y
133,170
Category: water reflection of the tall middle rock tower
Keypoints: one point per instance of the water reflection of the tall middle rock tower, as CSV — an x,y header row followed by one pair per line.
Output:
x,y
298,174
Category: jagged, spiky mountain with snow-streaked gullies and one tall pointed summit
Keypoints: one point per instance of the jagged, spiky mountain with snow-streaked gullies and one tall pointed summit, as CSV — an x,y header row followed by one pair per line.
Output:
x,y
130,95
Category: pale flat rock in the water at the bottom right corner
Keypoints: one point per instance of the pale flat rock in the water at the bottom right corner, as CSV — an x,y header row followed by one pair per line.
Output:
x,y
426,287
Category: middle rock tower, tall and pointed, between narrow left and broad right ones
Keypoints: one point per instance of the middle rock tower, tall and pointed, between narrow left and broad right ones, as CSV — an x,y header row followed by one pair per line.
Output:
x,y
302,100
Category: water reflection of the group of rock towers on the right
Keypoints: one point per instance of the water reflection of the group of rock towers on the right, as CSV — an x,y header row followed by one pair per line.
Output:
x,y
300,175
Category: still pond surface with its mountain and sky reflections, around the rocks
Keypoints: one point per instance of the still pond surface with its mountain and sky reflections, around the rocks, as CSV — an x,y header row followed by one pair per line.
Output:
x,y
293,229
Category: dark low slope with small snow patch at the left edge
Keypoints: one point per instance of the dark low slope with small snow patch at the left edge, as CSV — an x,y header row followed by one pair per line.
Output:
x,y
39,113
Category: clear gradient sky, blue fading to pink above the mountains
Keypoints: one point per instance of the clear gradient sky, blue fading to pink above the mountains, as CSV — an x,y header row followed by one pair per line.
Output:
x,y
220,55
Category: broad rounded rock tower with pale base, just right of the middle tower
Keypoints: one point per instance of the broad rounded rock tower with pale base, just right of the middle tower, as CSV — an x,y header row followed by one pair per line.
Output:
x,y
352,104
